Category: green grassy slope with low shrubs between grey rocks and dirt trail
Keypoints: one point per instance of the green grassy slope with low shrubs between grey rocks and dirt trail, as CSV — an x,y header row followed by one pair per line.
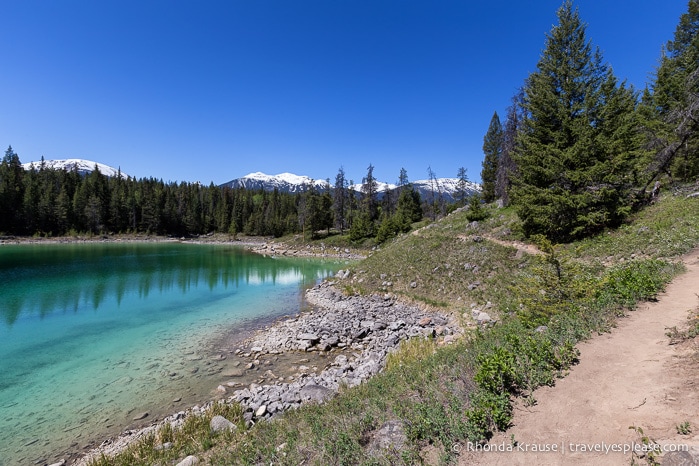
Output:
x,y
446,394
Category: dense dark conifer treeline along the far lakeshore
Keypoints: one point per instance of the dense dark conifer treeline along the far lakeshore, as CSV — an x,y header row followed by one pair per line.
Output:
x,y
53,202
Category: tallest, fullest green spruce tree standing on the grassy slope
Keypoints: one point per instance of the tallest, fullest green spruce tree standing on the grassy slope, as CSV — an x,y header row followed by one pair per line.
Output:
x,y
575,149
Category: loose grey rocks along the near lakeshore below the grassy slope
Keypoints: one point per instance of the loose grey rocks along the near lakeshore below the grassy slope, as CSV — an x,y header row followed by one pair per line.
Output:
x,y
355,333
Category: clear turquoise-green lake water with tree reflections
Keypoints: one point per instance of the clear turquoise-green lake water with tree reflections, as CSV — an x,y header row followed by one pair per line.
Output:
x,y
91,335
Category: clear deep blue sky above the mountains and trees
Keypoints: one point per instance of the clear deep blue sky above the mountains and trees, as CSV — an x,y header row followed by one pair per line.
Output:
x,y
212,90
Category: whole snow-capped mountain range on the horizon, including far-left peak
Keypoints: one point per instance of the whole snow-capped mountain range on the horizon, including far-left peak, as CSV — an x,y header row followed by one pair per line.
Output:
x,y
283,182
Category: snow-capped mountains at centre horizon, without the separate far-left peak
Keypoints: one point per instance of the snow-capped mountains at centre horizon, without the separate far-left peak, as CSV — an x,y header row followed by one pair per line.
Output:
x,y
290,183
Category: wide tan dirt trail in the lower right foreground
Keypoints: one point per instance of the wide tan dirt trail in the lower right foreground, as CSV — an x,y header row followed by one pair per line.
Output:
x,y
629,377
